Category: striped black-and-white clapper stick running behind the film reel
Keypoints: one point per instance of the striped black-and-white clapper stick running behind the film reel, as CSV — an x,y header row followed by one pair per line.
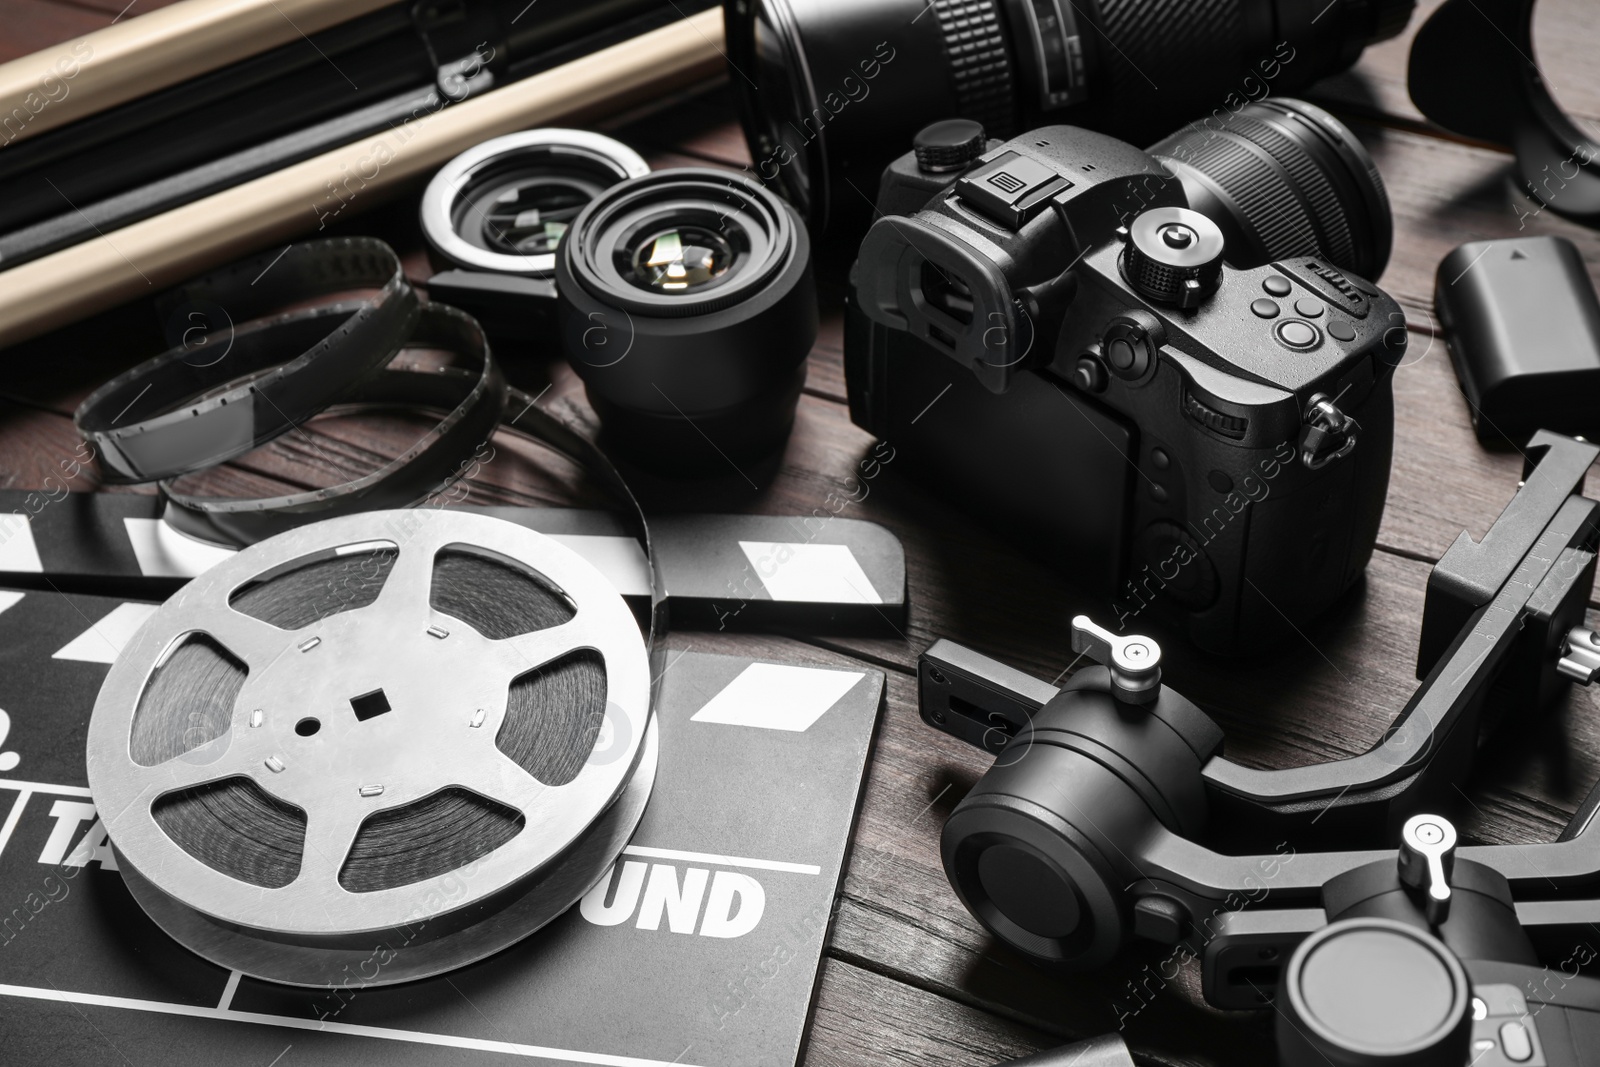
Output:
x,y
721,572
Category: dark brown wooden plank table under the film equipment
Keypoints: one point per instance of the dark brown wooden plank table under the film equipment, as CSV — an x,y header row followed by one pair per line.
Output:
x,y
910,978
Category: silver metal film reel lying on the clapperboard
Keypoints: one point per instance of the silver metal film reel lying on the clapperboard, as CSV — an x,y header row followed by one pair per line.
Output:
x,y
377,748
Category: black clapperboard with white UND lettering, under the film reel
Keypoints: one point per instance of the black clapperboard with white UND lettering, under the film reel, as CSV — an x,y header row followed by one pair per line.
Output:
x,y
702,945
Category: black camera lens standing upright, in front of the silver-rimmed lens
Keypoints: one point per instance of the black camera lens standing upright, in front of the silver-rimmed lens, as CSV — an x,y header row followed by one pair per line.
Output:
x,y
687,306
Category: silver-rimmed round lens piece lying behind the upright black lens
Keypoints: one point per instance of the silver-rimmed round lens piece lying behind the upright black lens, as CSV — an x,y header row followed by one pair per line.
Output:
x,y
495,215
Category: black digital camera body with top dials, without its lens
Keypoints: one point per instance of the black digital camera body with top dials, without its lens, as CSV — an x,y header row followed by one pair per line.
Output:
x,y
1052,337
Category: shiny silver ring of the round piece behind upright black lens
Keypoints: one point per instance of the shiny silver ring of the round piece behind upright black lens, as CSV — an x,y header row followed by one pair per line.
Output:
x,y
580,153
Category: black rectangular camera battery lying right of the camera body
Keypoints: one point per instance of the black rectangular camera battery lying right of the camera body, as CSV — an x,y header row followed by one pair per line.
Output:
x,y
1524,330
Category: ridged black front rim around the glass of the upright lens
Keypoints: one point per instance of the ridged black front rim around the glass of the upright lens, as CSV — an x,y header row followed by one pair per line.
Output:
x,y
761,231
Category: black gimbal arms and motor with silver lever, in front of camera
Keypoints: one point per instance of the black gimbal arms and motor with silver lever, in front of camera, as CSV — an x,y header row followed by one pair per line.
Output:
x,y
1094,823
